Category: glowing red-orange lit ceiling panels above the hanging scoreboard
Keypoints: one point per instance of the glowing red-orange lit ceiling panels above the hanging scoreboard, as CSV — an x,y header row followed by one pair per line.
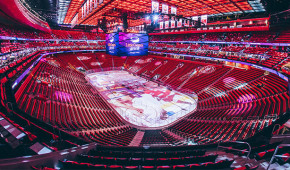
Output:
x,y
187,8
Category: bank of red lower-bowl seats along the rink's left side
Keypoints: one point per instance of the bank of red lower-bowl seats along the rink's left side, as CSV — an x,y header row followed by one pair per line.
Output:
x,y
62,98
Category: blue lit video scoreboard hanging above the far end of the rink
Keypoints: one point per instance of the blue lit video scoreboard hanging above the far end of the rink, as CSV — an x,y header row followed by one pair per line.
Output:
x,y
127,44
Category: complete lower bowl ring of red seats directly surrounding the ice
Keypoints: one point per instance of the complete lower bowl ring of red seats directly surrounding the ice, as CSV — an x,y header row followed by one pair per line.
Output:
x,y
233,102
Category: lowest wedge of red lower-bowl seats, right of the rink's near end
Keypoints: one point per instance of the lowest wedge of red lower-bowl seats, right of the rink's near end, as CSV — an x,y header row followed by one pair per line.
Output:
x,y
212,131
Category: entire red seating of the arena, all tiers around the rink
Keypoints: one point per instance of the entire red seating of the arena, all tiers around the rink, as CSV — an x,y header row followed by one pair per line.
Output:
x,y
54,107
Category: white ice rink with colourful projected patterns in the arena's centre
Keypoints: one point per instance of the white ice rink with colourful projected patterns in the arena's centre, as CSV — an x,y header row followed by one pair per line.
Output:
x,y
140,102
